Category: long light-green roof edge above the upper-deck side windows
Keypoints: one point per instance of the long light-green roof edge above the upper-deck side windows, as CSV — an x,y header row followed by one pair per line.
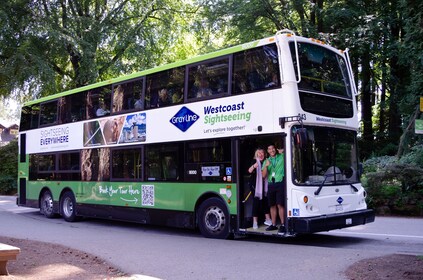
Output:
x,y
142,73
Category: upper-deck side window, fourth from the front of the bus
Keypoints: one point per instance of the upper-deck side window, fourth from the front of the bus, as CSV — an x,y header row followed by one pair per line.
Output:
x,y
128,96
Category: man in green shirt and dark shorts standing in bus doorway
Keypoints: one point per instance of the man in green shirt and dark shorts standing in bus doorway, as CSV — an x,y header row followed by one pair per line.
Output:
x,y
274,170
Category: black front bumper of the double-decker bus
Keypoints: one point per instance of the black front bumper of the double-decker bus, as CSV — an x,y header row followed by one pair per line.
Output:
x,y
330,222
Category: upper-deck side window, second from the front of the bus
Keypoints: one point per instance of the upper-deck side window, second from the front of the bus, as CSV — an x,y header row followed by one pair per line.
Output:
x,y
208,79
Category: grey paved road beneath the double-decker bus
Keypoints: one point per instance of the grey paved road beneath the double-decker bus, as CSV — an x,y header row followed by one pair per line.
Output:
x,y
165,253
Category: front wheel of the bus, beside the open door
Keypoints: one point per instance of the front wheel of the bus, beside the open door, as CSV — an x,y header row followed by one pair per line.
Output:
x,y
213,219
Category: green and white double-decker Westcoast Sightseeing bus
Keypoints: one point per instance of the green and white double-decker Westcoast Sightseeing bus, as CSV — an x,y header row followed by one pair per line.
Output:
x,y
172,145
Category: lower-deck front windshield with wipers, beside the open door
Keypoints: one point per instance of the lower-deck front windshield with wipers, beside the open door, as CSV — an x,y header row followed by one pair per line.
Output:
x,y
324,155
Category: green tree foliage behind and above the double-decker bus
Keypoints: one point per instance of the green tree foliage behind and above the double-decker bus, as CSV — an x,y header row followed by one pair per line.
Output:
x,y
48,46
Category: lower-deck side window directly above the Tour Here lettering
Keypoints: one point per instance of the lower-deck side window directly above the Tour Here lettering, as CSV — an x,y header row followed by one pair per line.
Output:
x,y
126,164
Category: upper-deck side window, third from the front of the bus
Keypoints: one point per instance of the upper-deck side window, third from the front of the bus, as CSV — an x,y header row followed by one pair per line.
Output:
x,y
165,88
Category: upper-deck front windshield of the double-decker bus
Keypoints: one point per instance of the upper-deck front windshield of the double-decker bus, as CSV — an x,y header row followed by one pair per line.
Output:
x,y
322,70
